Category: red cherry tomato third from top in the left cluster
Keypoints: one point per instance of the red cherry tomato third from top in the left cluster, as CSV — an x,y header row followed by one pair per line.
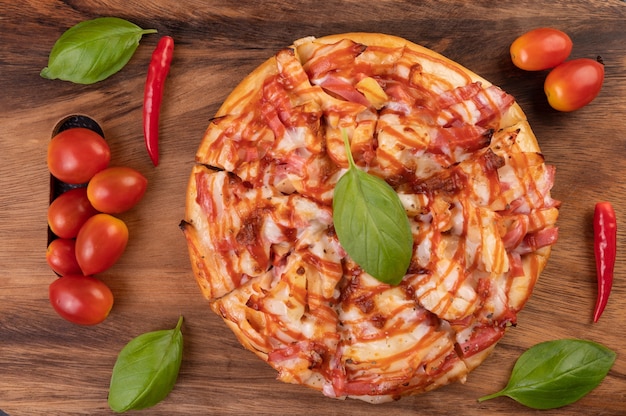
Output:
x,y
69,211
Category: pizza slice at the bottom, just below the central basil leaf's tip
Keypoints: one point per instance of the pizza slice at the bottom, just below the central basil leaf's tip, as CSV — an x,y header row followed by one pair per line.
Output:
x,y
382,346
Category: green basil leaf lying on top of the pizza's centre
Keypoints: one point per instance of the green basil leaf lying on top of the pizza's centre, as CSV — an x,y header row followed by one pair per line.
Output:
x,y
371,223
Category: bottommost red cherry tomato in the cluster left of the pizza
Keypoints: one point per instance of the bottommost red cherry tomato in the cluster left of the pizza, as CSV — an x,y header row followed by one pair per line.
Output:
x,y
83,300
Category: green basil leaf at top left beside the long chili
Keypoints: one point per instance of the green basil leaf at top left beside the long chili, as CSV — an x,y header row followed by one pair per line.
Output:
x,y
93,50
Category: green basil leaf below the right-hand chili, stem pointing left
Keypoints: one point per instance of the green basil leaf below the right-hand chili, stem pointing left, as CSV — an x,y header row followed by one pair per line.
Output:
x,y
557,373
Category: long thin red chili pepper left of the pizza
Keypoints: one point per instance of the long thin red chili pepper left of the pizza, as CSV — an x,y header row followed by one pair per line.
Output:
x,y
153,94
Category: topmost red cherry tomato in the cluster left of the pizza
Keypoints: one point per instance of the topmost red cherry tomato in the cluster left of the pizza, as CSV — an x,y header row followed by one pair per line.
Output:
x,y
76,154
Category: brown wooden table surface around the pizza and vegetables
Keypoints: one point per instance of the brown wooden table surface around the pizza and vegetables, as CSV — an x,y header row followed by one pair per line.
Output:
x,y
52,367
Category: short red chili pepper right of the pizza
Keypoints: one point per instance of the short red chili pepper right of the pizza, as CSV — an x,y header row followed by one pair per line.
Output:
x,y
605,245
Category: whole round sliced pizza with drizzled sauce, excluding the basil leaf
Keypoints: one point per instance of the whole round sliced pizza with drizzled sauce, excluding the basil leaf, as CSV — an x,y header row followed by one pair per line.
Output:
x,y
466,166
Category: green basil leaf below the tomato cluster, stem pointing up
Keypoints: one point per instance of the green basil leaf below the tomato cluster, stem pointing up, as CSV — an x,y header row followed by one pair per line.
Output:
x,y
146,369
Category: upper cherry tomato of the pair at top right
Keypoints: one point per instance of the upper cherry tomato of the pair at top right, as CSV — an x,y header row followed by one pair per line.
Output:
x,y
541,48
